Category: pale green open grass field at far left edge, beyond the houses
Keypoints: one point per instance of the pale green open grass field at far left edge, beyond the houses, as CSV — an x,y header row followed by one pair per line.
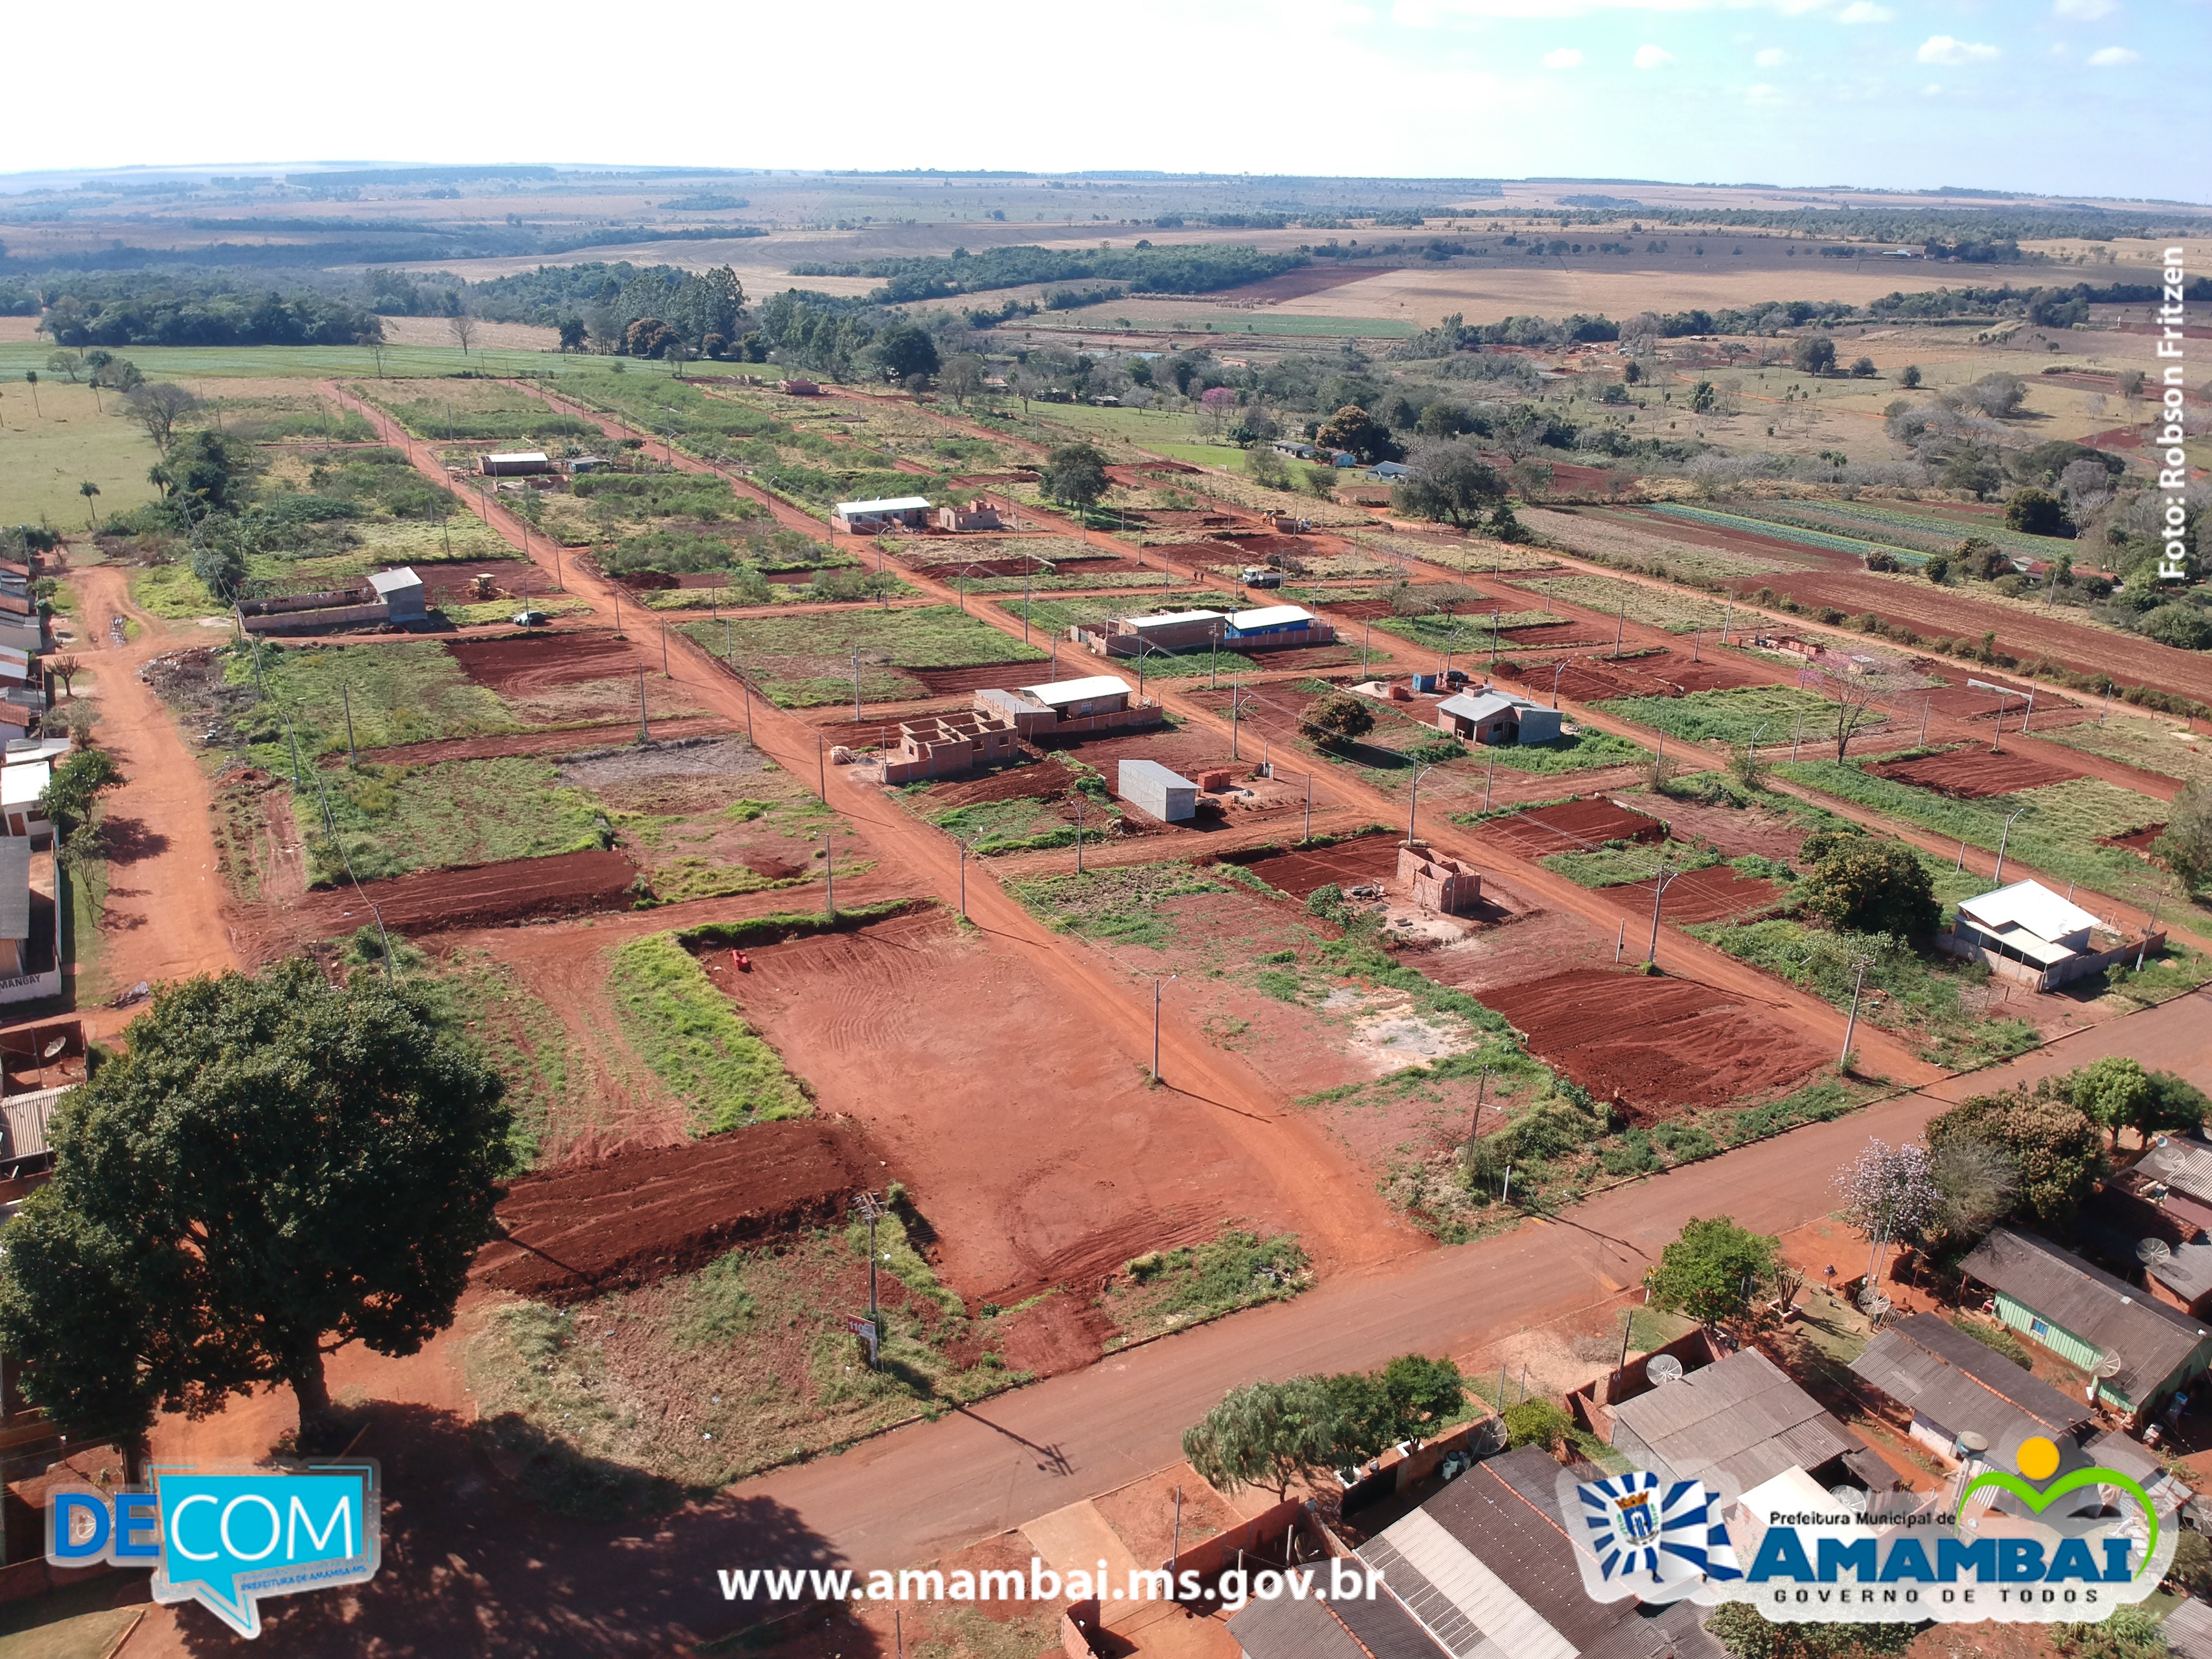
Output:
x,y
59,441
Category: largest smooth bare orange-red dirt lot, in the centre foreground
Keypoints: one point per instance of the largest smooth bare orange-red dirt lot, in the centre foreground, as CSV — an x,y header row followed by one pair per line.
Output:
x,y
917,1030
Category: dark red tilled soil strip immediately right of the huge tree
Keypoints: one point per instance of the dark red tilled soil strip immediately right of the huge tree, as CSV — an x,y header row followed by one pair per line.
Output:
x,y
638,1218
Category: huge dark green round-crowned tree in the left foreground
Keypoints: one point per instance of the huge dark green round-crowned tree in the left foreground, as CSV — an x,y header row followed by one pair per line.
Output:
x,y
273,1169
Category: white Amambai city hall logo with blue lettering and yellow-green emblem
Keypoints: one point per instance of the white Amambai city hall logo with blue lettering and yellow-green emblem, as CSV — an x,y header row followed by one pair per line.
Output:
x,y
2021,1545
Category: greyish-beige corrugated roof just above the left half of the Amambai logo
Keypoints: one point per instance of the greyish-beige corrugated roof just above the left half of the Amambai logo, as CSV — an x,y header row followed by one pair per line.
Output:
x,y
1742,1417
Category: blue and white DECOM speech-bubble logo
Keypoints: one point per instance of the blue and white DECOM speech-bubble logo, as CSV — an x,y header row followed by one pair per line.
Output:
x,y
229,1536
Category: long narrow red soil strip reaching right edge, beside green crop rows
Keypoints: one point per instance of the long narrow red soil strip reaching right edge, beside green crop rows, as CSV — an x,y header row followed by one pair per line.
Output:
x,y
1941,612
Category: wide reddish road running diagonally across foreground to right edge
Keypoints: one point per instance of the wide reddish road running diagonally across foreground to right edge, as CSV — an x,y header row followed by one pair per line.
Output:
x,y
921,1492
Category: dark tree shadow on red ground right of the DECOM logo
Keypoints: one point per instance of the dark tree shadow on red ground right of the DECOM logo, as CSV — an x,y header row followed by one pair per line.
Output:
x,y
472,1567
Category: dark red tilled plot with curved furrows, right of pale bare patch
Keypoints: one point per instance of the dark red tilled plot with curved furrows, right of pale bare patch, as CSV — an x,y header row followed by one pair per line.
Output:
x,y
1653,1045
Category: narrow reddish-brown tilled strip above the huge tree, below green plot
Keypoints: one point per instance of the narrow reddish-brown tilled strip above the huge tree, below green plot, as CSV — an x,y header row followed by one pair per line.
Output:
x,y
519,890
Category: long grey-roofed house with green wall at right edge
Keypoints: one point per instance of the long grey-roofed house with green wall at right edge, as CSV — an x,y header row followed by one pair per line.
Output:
x,y
2094,1319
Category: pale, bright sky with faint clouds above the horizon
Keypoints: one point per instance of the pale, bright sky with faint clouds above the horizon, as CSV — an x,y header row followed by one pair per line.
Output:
x,y
2043,96
